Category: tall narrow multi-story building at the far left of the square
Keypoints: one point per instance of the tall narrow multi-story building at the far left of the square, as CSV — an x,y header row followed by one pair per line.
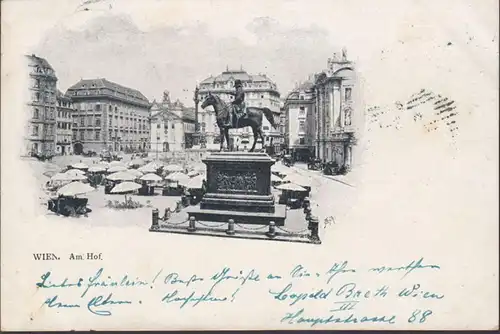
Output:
x,y
40,136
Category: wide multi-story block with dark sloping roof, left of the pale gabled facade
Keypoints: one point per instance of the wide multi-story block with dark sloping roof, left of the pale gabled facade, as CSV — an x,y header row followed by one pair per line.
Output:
x,y
109,116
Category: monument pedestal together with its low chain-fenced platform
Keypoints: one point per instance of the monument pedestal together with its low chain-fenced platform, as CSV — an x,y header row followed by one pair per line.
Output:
x,y
238,203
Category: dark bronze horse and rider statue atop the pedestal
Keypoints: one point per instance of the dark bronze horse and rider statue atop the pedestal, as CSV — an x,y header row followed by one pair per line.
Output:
x,y
236,115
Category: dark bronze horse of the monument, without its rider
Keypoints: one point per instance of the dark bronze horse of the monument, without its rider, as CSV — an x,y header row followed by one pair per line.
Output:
x,y
253,119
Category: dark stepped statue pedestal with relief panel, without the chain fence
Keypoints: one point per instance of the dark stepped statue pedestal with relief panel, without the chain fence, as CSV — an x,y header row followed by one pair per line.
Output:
x,y
239,188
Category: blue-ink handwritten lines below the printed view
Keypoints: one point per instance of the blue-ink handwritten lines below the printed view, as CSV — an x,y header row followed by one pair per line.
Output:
x,y
102,294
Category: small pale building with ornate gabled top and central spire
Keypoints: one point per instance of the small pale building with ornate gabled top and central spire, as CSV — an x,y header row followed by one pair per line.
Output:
x,y
171,125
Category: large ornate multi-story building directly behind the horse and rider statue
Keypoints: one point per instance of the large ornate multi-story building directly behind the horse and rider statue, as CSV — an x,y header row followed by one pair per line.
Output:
x,y
260,91
